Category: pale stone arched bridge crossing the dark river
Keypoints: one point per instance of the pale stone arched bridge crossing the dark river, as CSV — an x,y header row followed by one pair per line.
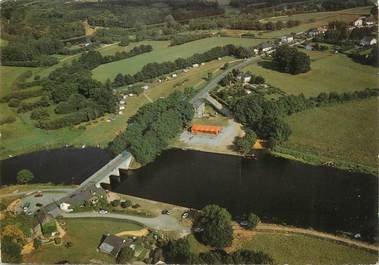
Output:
x,y
111,171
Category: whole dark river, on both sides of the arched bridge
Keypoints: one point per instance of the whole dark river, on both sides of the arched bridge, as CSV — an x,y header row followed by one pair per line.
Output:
x,y
278,190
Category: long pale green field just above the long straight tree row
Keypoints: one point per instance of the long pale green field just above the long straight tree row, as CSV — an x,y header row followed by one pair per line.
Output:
x,y
162,52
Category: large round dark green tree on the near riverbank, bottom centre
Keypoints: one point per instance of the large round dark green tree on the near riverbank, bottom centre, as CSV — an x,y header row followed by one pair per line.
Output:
x,y
216,224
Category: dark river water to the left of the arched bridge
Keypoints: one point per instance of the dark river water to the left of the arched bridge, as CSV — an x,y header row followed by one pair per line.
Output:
x,y
60,166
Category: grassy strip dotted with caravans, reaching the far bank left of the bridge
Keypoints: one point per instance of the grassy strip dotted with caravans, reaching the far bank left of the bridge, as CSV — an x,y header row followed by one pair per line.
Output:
x,y
22,136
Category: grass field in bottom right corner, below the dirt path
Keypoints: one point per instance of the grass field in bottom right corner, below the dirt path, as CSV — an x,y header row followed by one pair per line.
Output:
x,y
300,249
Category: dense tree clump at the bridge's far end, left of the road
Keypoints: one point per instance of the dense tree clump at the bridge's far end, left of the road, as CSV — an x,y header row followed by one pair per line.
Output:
x,y
153,126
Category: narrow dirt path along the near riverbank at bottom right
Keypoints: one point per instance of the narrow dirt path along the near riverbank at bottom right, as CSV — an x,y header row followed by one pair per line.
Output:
x,y
283,229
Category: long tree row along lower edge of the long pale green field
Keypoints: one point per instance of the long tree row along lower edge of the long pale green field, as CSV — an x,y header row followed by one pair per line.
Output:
x,y
153,70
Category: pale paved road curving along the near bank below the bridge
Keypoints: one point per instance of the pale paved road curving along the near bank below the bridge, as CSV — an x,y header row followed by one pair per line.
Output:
x,y
161,222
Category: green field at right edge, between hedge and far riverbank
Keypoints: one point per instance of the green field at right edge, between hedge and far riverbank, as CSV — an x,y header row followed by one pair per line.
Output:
x,y
345,132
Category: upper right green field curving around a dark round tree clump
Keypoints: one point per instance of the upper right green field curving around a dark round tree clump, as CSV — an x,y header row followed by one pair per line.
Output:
x,y
329,72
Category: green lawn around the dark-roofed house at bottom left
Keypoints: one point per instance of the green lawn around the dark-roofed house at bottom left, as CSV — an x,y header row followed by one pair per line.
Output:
x,y
85,235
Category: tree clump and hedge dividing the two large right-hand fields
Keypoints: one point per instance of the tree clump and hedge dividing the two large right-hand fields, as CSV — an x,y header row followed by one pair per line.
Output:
x,y
264,117
